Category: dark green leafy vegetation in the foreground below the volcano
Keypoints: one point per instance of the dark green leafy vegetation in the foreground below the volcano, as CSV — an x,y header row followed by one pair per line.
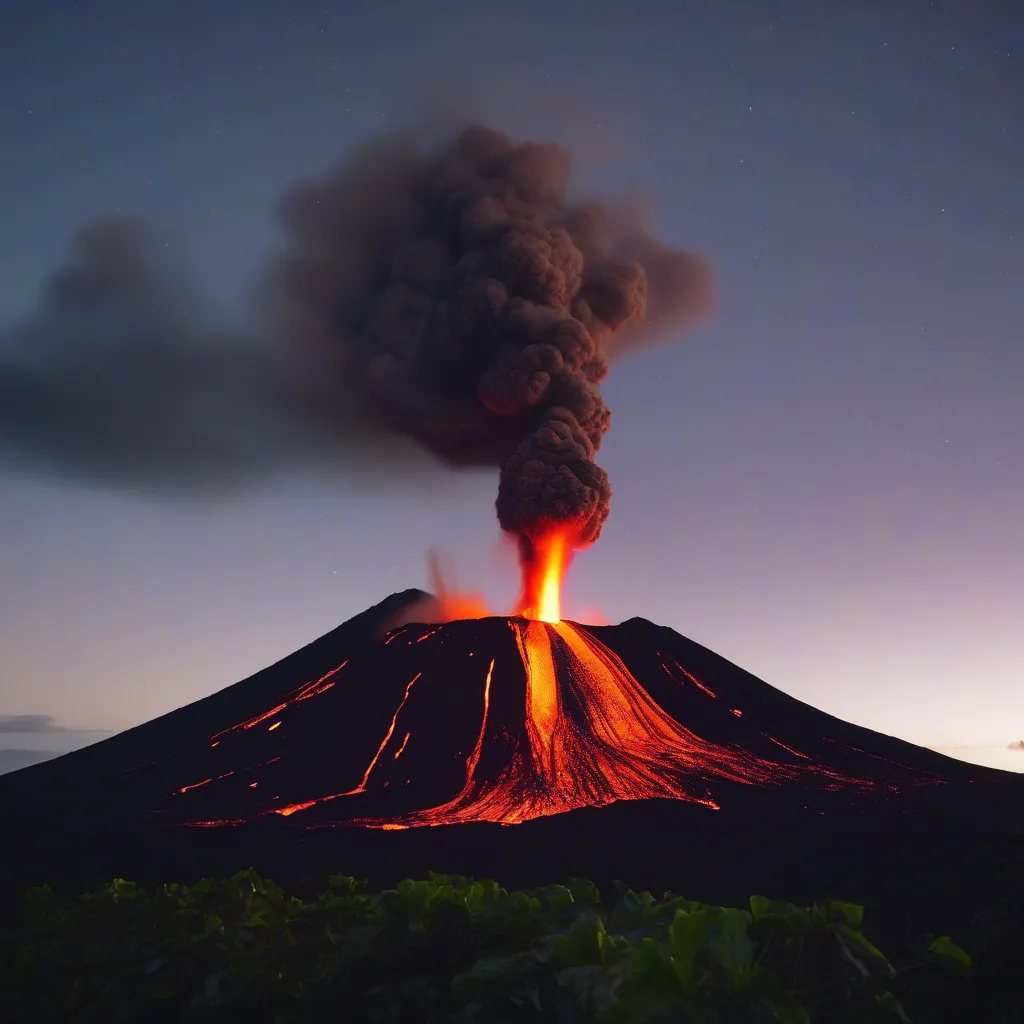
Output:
x,y
461,951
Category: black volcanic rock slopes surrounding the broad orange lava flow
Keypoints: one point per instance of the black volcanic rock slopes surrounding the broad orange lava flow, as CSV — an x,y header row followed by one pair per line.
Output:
x,y
829,807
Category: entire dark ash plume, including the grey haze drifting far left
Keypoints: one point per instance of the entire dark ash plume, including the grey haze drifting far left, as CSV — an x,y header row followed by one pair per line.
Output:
x,y
448,300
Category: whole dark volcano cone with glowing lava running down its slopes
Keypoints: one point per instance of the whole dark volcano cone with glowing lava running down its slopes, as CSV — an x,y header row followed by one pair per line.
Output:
x,y
501,746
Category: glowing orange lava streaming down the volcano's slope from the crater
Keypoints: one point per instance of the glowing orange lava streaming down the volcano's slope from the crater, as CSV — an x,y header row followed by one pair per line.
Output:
x,y
592,735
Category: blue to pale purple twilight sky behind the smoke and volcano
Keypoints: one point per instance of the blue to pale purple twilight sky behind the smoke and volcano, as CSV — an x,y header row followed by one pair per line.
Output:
x,y
825,485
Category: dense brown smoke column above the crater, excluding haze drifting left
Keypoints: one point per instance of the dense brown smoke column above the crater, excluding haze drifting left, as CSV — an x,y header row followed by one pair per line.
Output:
x,y
476,311
